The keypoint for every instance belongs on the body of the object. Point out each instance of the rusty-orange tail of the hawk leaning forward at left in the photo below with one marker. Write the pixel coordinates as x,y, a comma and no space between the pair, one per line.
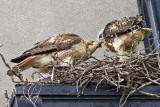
23,65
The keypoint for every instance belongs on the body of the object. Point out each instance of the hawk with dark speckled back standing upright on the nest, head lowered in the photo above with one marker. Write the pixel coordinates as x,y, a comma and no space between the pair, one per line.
124,35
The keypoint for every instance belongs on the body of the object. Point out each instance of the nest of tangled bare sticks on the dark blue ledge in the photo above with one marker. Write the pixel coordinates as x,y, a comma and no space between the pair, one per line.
137,70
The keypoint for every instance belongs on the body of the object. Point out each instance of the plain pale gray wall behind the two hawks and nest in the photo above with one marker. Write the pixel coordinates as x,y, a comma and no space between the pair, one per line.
25,22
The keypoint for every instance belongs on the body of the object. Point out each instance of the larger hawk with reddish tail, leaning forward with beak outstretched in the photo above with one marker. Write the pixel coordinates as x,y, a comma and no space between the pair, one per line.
64,50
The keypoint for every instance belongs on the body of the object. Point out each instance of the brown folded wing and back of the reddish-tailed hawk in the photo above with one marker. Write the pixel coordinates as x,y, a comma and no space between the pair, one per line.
60,42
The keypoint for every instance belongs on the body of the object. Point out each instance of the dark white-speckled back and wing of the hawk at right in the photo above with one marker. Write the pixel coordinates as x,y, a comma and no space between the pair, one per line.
123,25
